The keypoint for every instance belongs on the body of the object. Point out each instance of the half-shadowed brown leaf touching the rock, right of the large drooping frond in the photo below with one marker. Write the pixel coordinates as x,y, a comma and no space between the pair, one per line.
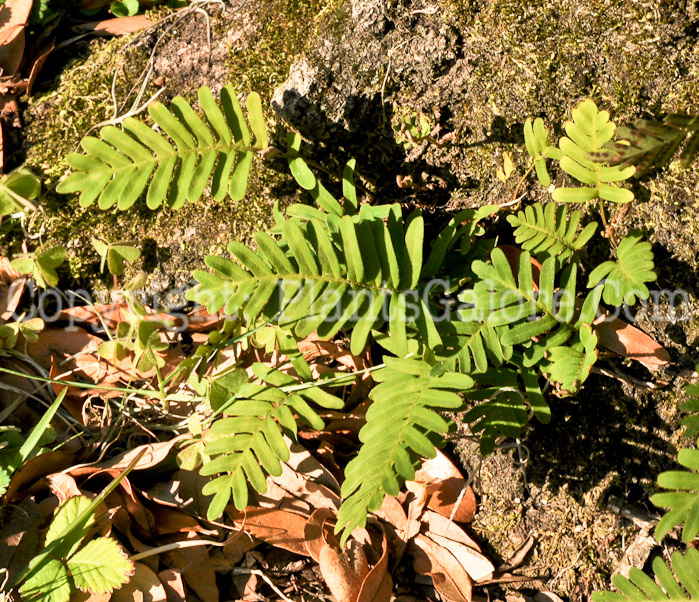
445,485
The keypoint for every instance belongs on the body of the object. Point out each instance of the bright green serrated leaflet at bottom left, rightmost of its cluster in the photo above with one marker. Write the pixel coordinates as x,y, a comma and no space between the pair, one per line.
100,567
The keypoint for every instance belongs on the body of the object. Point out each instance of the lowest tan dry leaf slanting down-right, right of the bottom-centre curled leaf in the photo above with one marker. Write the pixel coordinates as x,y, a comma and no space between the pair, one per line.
450,578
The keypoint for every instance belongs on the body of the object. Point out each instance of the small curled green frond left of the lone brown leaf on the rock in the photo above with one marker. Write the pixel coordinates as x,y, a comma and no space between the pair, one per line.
569,365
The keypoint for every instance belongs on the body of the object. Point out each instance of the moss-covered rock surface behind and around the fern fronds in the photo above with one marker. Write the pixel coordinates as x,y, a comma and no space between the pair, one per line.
344,73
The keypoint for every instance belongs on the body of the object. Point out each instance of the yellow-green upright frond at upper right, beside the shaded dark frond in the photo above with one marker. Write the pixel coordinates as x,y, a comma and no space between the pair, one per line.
589,131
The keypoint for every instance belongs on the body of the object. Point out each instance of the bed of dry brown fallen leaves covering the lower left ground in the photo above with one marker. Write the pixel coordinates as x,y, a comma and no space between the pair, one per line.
282,546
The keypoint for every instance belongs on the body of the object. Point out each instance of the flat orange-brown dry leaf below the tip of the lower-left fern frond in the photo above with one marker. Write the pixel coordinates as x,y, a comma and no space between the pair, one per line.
279,528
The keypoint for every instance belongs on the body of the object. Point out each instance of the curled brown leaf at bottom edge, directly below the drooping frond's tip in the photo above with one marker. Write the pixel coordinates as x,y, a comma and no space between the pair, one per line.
344,571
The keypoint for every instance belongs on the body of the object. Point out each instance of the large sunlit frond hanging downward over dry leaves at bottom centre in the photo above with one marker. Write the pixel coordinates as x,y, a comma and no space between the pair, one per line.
401,427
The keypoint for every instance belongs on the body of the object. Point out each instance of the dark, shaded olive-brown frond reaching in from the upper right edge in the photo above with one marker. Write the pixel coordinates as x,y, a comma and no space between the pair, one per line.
649,144
